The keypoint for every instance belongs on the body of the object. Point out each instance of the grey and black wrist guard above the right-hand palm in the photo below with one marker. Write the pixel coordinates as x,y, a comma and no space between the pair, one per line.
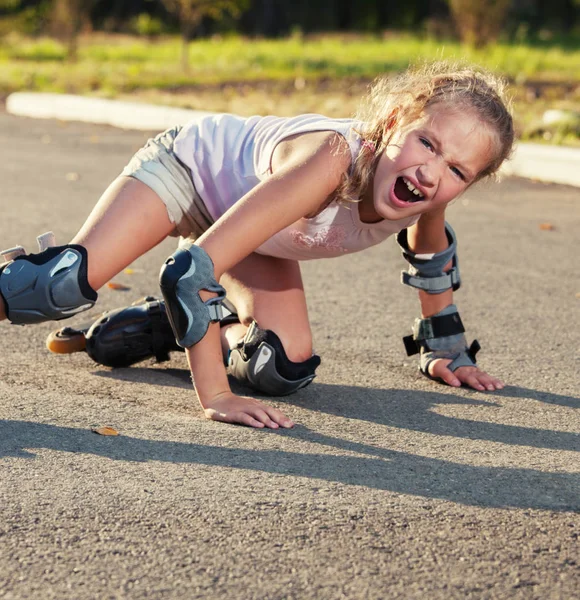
441,336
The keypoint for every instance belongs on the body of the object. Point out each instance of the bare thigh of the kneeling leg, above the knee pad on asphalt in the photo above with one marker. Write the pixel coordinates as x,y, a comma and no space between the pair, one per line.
270,291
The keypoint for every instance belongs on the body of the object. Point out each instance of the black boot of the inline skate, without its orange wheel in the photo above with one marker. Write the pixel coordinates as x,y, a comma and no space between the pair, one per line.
125,336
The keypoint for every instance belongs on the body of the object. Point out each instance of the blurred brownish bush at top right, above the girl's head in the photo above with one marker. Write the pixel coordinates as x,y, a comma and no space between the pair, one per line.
479,22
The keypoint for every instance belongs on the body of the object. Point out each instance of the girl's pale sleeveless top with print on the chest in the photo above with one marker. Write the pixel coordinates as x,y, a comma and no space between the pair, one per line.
230,155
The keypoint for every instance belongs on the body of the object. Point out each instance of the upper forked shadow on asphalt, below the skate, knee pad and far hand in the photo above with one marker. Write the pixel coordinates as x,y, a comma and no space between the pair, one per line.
405,409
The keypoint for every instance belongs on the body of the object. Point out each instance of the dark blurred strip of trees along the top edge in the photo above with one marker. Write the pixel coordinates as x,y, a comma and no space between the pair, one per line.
477,19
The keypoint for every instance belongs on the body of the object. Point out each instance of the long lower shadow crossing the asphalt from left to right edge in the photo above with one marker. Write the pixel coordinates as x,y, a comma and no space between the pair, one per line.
379,468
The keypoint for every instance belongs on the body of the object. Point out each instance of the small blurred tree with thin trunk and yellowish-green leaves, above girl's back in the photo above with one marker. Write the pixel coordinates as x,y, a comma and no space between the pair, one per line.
190,13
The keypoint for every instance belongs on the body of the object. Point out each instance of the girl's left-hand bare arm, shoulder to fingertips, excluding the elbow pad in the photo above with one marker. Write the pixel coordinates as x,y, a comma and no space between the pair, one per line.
301,181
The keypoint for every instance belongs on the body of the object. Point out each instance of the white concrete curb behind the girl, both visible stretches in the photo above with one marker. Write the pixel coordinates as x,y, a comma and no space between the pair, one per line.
551,164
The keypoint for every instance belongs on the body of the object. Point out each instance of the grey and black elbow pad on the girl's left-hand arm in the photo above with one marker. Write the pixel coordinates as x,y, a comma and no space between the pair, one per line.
183,275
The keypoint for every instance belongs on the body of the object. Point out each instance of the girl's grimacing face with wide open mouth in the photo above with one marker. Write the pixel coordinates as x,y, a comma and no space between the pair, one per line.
428,164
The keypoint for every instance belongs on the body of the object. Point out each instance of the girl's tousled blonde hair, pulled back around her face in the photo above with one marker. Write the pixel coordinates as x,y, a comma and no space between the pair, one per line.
394,102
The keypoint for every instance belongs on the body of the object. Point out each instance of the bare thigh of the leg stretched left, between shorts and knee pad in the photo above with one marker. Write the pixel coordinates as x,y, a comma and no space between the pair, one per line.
127,221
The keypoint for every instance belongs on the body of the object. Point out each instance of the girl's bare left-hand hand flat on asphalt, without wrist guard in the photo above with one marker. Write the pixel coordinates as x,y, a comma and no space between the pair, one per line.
229,408
